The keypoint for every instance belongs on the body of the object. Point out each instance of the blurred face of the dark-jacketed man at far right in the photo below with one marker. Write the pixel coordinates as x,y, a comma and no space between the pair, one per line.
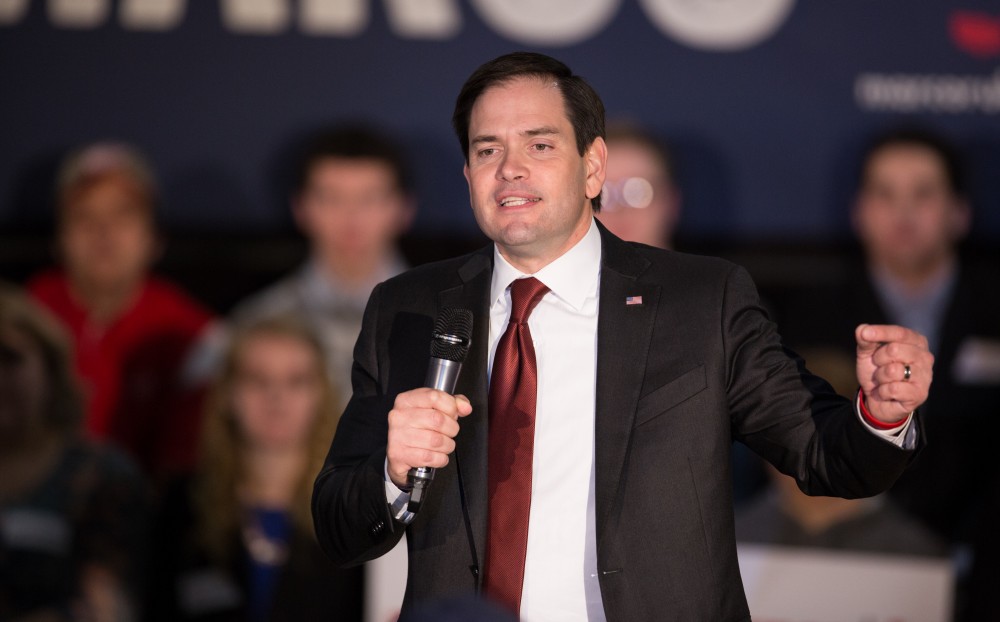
907,216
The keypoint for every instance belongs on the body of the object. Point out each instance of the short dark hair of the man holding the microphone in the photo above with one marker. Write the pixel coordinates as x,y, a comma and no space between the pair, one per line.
584,108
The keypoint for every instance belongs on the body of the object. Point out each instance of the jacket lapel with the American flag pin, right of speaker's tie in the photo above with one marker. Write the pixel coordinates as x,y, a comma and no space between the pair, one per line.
624,333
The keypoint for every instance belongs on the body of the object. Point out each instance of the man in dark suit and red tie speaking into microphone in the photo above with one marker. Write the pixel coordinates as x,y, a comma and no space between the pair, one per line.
648,364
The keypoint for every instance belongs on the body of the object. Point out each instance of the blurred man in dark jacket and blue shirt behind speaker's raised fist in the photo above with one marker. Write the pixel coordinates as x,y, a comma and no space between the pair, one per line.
911,213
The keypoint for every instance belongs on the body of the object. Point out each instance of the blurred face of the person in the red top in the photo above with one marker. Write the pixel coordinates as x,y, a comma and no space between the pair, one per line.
107,237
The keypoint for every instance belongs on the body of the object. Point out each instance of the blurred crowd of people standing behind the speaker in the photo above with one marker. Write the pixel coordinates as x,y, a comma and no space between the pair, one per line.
158,459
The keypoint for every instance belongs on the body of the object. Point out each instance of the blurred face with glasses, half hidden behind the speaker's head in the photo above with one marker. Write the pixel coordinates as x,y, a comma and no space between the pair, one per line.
640,203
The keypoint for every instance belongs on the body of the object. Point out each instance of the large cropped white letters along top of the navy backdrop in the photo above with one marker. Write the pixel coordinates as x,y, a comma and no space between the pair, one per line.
720,25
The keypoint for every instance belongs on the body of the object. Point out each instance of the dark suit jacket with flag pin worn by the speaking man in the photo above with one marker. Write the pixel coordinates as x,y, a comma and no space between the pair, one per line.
679,377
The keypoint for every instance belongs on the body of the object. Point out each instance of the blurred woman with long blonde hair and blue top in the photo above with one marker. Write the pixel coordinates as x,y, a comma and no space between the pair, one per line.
237,538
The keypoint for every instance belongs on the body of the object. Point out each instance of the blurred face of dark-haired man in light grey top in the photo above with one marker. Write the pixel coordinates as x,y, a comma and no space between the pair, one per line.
352,210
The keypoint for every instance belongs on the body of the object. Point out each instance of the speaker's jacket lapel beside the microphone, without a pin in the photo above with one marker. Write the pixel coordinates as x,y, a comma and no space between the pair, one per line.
471,442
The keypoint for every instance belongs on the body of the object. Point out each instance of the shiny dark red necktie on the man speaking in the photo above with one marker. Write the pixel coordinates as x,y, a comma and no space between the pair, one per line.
513,387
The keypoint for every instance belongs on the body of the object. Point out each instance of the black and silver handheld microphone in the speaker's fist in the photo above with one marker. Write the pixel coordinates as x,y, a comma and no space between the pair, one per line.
449,346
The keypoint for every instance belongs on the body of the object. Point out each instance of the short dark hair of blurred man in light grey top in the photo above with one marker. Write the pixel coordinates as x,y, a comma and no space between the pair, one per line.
352,142
